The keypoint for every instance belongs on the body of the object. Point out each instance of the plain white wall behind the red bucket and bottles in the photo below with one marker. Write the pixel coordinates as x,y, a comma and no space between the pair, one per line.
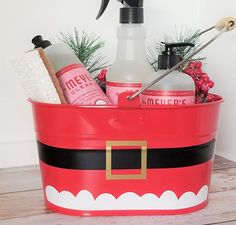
22,20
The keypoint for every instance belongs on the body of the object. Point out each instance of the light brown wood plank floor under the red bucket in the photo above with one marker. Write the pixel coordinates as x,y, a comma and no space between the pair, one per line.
21,202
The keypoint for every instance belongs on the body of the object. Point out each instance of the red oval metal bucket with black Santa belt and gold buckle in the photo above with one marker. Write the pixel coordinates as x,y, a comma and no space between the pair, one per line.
126,159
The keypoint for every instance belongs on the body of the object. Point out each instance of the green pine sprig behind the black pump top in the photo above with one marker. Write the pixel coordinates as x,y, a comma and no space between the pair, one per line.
184,35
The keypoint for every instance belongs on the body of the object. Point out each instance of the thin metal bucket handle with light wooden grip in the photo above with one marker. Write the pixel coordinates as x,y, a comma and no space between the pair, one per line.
226,24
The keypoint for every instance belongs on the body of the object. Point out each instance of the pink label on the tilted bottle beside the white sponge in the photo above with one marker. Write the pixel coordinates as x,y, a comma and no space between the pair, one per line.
79,88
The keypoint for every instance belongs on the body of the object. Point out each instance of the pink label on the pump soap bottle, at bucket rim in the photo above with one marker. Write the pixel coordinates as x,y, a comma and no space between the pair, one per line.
156,97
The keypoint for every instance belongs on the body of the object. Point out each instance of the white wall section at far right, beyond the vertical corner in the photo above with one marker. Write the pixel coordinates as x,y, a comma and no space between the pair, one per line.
221,65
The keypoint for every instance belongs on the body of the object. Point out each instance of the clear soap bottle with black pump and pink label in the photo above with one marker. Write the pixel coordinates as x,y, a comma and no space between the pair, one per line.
174,89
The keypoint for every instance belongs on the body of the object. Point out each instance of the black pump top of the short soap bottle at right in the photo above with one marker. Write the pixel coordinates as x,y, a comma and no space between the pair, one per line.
169,57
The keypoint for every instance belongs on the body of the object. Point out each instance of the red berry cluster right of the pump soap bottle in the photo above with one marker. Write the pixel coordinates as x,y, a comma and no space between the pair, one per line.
202,81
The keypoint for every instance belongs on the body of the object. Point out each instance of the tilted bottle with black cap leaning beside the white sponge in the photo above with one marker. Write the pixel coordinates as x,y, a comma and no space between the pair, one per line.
78,86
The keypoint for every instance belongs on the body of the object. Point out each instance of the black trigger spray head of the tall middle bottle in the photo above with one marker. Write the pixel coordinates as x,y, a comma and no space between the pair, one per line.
130,13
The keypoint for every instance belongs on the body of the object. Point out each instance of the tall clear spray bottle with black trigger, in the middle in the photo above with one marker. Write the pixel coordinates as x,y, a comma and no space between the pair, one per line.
131,65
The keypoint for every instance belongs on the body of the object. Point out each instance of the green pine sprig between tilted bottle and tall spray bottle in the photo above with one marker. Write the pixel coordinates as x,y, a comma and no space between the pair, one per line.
86,49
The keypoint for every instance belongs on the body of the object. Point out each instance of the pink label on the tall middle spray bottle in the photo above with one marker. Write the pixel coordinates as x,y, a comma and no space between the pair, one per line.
114,89
